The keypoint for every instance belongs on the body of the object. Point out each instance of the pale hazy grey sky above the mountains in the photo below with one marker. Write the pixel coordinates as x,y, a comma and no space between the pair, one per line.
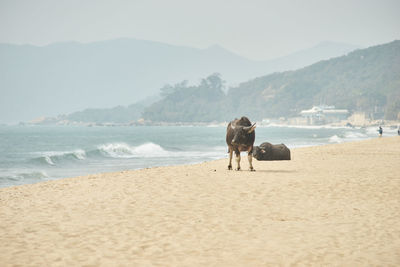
254,29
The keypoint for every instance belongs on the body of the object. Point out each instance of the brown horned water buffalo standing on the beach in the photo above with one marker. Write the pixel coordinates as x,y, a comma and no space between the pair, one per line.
240,136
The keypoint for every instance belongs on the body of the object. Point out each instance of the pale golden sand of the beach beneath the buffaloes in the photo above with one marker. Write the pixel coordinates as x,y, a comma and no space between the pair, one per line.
336,205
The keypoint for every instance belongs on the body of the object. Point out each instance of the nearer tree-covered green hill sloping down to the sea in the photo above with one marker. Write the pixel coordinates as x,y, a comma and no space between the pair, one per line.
366,80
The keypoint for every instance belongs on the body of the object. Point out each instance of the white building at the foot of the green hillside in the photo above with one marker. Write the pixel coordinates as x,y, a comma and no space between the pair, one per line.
324,114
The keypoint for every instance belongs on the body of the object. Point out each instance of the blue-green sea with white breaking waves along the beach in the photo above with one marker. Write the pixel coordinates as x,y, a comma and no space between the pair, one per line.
31,154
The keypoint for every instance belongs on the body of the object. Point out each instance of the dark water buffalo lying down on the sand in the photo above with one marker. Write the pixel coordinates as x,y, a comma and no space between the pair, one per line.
267,151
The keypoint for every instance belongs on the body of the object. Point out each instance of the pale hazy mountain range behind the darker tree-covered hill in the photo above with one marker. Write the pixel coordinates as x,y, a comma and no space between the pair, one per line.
67,77
